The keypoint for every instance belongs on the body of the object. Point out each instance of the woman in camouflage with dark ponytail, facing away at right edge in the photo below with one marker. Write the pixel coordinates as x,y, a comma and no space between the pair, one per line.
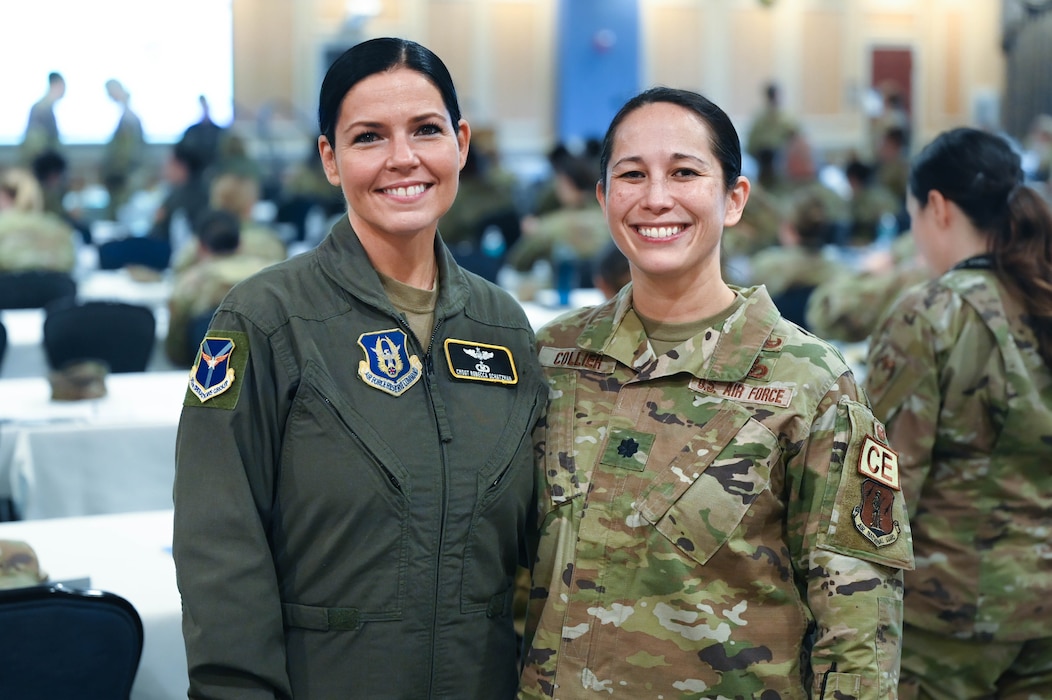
960,371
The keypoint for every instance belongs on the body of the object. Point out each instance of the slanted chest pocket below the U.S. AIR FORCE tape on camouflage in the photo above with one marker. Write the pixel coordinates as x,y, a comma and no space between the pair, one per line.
701,498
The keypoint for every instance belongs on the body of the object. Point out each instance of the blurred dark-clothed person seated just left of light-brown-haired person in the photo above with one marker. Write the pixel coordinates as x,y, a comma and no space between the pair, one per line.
187,198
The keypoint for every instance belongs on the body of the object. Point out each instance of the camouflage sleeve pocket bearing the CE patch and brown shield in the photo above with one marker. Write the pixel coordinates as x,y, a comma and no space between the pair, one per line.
863,510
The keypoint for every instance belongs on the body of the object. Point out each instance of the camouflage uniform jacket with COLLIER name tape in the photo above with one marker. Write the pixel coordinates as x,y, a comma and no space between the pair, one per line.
705,517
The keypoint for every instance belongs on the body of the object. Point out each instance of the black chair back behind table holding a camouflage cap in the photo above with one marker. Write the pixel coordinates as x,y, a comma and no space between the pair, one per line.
119,334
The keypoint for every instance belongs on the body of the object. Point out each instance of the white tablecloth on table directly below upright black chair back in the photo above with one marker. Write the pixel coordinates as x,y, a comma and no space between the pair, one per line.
109,455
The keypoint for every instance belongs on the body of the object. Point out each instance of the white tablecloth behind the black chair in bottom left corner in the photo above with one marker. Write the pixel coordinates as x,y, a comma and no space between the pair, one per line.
129,555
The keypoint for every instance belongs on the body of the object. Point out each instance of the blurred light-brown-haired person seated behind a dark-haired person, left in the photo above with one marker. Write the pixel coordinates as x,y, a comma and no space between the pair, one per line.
239,193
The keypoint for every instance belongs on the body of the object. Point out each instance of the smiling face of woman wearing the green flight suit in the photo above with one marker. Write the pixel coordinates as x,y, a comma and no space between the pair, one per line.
397,156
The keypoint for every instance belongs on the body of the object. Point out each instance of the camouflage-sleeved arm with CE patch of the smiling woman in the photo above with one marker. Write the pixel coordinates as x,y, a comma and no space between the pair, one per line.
851,538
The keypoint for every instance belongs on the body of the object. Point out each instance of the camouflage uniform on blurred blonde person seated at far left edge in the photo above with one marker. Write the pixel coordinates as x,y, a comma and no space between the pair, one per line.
35,241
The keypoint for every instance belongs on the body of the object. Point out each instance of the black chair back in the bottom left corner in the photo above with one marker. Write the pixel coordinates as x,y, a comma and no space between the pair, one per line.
60,643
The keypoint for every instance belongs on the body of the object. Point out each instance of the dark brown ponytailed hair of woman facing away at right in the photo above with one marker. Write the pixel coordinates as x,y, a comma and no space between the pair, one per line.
983,175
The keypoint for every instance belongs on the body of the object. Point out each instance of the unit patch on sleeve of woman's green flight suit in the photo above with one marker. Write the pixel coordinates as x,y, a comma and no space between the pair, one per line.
218,372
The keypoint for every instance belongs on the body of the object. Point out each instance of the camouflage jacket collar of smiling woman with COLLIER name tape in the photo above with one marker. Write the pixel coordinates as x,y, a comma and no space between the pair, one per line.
725,355
